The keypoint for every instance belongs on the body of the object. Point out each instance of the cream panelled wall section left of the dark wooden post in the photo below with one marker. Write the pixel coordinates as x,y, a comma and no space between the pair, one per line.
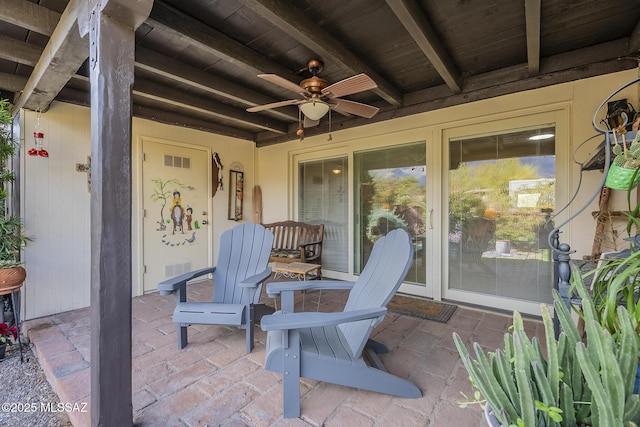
56,212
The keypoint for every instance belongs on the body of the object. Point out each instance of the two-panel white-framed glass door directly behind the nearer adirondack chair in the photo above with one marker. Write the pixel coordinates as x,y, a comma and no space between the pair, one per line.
327,186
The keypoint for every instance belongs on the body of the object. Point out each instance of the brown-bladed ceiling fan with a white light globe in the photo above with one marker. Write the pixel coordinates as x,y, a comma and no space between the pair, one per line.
318,96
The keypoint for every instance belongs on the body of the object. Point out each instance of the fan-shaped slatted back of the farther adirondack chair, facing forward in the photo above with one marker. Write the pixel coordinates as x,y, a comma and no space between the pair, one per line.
244,251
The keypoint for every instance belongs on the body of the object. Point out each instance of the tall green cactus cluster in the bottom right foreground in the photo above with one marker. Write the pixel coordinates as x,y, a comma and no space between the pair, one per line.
576,384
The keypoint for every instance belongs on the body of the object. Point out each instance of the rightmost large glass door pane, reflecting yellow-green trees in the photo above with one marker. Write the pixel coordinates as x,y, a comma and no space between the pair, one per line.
501,196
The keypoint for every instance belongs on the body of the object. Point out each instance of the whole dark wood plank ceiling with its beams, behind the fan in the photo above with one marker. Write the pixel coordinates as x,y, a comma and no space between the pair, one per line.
197,61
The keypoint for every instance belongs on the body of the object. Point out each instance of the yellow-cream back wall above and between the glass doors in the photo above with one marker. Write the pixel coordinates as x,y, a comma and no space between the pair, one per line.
579,98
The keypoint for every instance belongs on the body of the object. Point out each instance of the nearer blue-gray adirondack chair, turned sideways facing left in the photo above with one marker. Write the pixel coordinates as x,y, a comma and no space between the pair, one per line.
329,346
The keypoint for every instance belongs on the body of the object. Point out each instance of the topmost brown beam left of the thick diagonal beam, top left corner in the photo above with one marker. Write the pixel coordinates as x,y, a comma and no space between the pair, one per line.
31,16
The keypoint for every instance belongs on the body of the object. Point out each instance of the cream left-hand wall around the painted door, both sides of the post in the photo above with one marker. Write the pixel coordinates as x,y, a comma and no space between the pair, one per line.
56,203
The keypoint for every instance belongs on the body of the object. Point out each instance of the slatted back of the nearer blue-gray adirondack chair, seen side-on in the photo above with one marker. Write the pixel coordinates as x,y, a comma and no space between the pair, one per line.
385,270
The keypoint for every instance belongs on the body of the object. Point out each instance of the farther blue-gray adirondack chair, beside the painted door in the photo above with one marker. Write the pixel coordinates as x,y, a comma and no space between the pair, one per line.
237,283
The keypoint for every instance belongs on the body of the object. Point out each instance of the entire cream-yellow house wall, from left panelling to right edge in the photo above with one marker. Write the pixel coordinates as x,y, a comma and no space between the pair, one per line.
55,200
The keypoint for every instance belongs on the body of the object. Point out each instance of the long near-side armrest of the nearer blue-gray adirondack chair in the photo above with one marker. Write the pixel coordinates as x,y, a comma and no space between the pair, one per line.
288,321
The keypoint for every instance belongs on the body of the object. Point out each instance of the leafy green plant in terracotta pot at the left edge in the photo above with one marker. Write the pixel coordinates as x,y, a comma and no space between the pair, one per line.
12,237
